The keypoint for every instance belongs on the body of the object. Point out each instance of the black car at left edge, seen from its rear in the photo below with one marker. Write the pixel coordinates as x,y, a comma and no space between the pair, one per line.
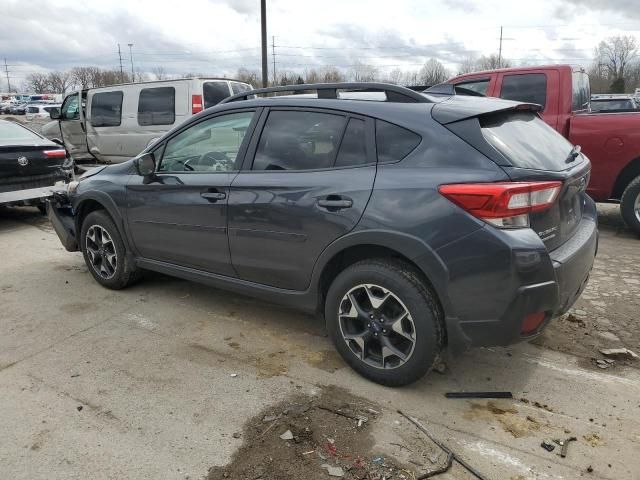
30,165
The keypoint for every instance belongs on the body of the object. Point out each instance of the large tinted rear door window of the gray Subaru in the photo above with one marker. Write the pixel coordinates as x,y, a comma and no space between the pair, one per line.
298,141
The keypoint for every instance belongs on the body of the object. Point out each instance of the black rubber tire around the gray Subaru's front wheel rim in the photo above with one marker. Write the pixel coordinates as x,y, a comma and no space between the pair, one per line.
124,273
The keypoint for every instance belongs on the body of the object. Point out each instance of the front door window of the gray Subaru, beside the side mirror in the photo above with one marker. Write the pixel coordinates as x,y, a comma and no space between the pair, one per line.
208,146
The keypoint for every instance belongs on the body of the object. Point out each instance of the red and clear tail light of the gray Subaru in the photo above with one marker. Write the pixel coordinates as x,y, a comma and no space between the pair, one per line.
503,204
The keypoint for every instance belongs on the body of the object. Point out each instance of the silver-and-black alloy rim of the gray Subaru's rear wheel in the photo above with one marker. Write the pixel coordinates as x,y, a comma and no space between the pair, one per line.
377,326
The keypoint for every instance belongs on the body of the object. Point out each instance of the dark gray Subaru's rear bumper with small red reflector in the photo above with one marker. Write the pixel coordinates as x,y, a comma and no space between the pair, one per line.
560,277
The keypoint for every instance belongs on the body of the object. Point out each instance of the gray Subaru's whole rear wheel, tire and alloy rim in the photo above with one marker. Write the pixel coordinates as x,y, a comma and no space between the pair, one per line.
385,321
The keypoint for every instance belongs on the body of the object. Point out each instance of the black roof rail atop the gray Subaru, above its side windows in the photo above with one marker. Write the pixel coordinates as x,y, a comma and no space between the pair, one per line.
394,93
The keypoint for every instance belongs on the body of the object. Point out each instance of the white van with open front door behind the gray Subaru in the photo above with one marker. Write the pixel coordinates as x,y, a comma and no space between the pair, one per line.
117,122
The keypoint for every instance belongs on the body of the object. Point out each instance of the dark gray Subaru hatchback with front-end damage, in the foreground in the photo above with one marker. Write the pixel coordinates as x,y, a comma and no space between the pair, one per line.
413,221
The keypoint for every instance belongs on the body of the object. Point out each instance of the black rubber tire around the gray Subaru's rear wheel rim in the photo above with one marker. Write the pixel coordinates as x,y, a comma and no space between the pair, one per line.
414,294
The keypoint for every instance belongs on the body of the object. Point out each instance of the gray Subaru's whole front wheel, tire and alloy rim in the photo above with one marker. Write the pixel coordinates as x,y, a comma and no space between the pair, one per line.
104,252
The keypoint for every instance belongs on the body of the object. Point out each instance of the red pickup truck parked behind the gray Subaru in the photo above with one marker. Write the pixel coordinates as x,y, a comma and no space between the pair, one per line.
611,140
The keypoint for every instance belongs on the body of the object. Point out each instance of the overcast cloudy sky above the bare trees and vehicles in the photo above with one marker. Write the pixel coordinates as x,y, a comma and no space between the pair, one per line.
218,36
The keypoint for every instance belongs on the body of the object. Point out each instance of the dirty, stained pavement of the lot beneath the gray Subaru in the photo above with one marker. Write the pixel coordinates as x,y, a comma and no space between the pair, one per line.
169,379
